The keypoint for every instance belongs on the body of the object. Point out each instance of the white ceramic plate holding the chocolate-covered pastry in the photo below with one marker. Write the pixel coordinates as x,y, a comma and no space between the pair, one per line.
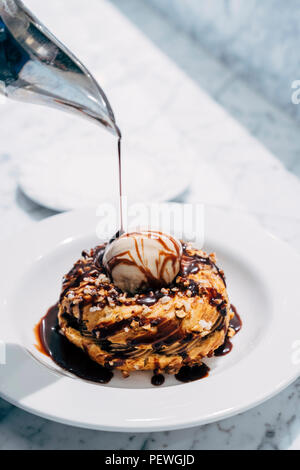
263,277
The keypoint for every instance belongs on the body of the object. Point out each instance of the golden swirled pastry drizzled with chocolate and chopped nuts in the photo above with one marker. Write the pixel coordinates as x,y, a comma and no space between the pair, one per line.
158,330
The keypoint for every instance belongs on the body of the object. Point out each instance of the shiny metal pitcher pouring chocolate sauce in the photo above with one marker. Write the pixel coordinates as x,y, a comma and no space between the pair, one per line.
35,67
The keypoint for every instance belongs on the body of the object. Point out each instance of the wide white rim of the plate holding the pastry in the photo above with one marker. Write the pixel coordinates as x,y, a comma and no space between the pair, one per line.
154,409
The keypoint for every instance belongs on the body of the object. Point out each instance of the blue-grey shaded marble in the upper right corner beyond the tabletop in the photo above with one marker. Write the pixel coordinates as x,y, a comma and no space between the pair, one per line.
258,40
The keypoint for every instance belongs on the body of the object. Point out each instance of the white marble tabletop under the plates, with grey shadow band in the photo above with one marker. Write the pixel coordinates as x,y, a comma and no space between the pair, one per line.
245,157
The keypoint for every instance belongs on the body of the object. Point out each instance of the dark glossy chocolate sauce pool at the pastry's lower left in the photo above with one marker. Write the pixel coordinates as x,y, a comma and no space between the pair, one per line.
51,343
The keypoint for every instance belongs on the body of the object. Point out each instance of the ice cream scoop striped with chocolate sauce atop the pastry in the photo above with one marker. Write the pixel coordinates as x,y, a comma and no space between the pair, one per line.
141,260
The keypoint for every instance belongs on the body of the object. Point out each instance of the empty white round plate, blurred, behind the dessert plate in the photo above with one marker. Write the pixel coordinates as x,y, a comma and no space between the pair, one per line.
75,165
